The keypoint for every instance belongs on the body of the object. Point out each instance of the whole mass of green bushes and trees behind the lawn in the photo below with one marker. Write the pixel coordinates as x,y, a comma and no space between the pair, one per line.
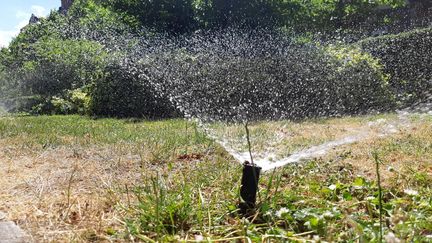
100,57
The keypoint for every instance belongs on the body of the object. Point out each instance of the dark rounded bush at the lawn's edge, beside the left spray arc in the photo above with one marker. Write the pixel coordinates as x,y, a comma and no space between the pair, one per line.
121,92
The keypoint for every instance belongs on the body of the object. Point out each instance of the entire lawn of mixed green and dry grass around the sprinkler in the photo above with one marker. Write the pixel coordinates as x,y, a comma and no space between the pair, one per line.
70,178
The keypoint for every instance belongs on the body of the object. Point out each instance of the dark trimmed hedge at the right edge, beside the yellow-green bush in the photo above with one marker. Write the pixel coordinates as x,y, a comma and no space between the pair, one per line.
407,58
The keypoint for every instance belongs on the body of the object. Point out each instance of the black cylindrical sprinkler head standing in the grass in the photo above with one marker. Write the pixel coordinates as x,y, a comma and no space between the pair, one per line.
249,187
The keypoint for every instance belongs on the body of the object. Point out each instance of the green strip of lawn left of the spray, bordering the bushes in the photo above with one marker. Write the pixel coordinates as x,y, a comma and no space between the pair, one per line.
101,131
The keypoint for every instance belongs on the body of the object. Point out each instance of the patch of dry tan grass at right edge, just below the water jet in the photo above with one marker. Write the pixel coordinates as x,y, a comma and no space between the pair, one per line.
404,152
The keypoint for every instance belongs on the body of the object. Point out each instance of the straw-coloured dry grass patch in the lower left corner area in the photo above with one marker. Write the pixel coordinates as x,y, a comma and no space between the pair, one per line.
61,194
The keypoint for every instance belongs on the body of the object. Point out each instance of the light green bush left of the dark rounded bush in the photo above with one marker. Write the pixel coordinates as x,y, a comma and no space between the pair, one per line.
54,75
